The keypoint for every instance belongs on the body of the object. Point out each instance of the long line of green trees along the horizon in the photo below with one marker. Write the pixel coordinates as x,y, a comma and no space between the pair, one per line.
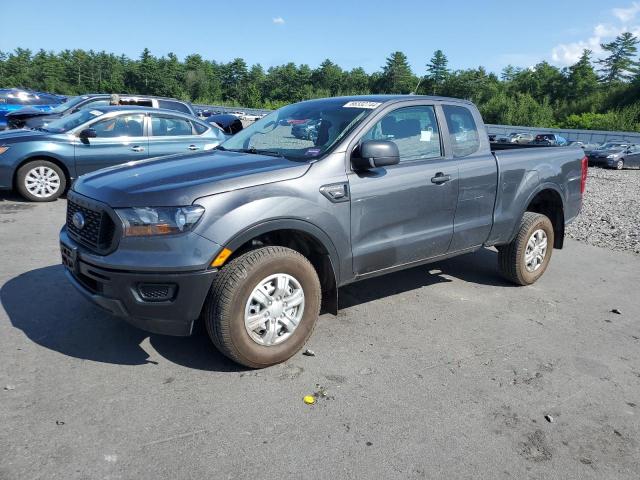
598,94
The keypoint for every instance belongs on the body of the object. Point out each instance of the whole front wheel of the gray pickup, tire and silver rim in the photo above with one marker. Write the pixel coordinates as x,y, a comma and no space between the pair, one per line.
263,306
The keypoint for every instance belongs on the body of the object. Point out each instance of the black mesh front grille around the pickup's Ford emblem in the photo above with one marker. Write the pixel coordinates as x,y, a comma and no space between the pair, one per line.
98,230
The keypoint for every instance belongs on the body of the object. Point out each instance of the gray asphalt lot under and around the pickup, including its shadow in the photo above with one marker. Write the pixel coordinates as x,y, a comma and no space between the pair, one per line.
441,371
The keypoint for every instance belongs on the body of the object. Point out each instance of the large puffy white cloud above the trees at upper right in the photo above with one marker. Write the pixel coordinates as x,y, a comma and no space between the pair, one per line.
569,53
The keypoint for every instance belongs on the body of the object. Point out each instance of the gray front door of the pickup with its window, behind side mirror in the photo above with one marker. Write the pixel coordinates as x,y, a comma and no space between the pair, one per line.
404,212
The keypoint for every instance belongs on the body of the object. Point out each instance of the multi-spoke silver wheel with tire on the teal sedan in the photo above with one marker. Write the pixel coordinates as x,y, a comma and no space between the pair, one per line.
40,181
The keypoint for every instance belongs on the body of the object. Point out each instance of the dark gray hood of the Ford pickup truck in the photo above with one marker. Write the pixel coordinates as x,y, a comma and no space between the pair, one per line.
181,179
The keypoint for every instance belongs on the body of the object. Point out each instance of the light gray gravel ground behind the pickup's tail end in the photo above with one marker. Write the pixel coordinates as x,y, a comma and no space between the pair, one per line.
610,215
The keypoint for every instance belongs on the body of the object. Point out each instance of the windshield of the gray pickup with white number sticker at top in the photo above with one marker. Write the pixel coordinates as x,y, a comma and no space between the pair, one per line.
302,131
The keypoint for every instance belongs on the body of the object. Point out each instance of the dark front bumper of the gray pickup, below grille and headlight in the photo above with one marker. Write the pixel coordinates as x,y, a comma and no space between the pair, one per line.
122,292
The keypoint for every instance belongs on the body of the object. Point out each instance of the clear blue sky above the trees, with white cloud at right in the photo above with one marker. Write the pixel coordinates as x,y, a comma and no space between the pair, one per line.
491,33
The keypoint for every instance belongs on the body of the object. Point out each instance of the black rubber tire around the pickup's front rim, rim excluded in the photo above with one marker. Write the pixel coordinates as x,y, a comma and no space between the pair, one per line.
224,308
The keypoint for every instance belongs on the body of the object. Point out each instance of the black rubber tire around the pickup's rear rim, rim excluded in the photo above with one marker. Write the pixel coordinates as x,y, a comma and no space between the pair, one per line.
511,257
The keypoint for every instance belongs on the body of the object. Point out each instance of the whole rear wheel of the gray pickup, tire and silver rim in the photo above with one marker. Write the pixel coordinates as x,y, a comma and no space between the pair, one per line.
525,259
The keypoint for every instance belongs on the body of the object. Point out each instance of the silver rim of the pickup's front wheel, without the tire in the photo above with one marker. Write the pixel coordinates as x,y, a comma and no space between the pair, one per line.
274,309
